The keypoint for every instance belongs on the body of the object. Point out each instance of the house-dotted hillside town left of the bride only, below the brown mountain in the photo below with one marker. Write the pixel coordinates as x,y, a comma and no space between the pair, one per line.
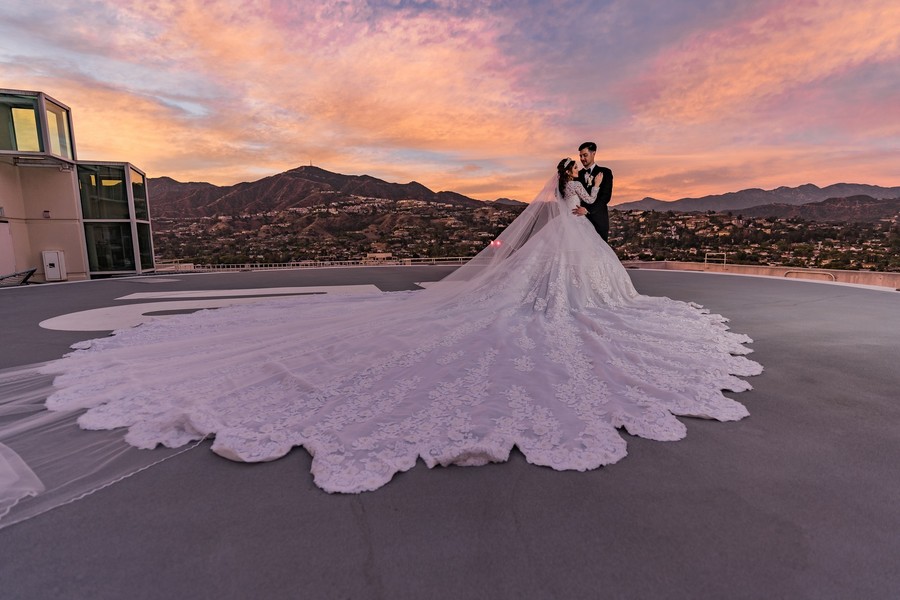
343,229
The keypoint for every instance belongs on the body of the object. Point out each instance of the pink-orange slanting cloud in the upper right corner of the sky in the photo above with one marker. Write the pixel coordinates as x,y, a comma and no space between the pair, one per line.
731,71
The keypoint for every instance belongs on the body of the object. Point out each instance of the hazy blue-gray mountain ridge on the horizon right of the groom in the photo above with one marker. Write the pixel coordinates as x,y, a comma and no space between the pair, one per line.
803,194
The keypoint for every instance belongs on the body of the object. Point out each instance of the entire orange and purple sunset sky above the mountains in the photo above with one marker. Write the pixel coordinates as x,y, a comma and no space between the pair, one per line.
684,98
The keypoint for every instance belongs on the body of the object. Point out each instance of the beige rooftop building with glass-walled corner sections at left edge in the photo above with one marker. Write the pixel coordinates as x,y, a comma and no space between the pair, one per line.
92,218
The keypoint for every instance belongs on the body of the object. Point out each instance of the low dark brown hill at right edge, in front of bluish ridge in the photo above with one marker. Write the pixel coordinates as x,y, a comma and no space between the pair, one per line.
858,209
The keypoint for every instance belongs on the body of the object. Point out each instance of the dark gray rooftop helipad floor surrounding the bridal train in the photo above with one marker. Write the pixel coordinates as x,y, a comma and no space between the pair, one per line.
800,500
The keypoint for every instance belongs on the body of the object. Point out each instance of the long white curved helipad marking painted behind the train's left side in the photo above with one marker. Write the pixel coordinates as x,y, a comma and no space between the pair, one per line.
109,318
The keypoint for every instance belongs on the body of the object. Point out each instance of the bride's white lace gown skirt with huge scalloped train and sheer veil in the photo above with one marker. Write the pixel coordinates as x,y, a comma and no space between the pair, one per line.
539,342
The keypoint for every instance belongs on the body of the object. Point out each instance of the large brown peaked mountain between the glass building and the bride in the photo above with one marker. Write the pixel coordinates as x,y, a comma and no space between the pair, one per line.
297,188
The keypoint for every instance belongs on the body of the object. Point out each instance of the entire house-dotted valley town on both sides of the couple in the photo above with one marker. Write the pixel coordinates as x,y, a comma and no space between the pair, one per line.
352,227
